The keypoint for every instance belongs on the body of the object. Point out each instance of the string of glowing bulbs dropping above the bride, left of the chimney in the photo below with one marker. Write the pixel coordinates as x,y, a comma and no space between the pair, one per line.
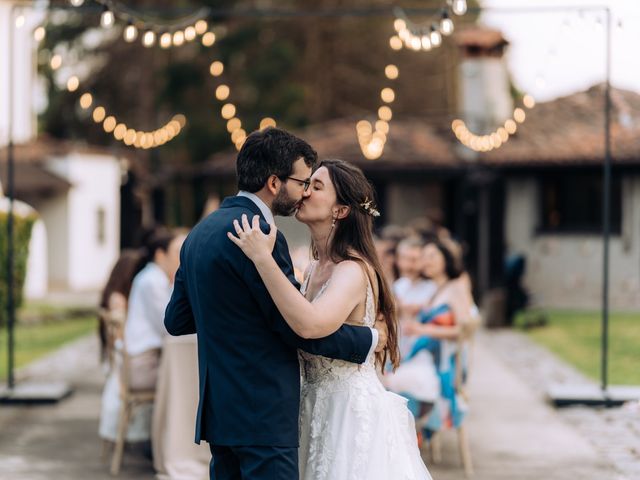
373,138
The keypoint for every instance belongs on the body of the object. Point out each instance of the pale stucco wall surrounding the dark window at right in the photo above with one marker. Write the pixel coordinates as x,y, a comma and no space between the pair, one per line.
565,271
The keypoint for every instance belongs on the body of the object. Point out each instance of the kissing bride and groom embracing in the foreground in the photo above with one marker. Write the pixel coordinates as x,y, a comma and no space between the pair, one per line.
288,382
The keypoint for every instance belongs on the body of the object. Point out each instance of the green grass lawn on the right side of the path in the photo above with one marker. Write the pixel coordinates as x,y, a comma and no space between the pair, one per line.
575,337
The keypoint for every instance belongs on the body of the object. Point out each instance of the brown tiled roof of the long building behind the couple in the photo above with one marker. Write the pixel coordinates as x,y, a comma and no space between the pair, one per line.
564,131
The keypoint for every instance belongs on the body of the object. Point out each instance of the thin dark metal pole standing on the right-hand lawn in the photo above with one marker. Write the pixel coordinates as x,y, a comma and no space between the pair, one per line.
606,200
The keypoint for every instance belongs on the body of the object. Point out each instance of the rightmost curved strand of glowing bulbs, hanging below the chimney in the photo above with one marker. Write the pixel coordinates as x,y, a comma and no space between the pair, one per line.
497,138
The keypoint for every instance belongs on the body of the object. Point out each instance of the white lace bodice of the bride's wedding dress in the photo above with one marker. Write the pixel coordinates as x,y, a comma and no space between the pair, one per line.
316,368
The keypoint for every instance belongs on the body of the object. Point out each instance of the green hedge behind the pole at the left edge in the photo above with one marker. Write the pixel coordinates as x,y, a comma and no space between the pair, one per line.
22,234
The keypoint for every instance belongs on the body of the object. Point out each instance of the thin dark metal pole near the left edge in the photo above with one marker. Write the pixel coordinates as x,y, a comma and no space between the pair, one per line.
11,310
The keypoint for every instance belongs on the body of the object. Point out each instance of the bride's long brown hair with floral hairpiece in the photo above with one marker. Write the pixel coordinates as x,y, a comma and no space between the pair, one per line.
352,239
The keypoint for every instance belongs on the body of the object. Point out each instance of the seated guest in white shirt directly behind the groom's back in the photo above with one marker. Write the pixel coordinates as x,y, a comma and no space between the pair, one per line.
150,294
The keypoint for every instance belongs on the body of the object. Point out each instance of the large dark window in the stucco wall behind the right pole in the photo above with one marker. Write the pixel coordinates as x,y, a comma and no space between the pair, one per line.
572,203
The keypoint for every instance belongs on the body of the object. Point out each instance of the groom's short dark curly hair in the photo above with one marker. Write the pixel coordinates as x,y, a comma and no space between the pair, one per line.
267,152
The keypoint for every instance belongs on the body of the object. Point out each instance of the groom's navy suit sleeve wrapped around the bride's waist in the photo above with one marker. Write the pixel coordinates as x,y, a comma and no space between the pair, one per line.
350,343
